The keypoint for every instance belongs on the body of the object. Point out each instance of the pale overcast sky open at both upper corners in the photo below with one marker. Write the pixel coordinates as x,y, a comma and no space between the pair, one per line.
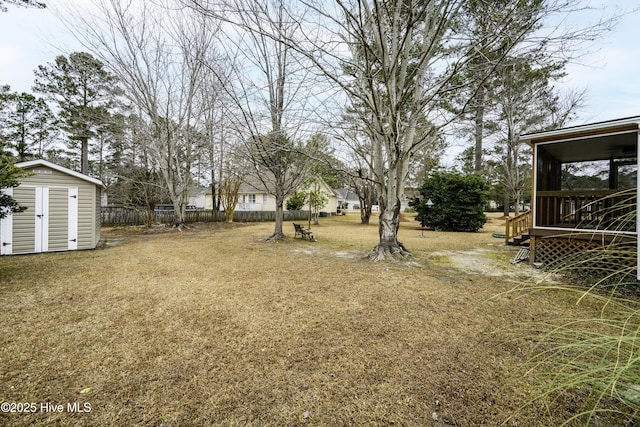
30,37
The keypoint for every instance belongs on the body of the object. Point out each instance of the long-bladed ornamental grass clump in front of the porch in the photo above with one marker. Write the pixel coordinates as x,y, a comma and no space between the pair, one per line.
596,360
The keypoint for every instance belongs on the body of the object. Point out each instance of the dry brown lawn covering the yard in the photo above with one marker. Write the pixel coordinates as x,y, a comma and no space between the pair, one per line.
213,326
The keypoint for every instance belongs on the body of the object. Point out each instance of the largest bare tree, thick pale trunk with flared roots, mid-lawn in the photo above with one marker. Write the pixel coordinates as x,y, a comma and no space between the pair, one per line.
396,61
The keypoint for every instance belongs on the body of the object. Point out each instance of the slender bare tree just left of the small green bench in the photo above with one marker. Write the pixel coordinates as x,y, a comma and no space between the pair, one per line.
269,88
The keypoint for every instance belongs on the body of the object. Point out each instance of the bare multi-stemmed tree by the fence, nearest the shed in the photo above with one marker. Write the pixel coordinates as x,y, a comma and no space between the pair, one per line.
161,59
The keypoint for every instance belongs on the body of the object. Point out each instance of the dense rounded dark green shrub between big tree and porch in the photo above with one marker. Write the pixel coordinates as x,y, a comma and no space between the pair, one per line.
458,202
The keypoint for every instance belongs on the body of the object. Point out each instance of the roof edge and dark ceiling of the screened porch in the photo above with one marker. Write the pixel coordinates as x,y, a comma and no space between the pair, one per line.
612,139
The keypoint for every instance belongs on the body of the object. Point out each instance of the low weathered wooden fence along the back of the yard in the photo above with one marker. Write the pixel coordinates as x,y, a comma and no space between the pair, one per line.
122,215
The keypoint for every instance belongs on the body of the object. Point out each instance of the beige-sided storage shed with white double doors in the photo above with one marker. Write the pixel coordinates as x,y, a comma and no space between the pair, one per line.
63,211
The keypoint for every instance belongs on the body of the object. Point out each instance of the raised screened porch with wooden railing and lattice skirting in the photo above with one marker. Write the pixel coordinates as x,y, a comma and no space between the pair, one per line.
585,181
